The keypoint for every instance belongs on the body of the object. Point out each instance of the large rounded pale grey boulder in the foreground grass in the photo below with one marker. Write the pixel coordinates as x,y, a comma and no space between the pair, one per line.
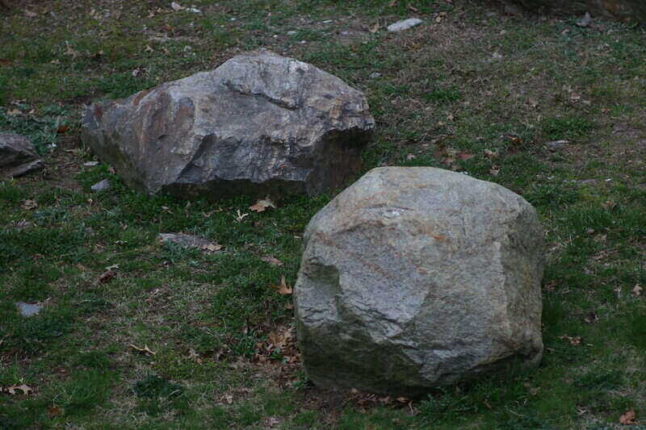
416,277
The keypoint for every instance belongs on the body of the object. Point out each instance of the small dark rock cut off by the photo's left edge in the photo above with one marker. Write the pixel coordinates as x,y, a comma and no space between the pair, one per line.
17,156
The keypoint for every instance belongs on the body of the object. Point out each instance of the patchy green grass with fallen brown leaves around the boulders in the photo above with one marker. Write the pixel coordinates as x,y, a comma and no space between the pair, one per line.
467,81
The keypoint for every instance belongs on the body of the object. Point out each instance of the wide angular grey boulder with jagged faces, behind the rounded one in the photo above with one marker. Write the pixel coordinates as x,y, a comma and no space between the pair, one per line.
258,124
